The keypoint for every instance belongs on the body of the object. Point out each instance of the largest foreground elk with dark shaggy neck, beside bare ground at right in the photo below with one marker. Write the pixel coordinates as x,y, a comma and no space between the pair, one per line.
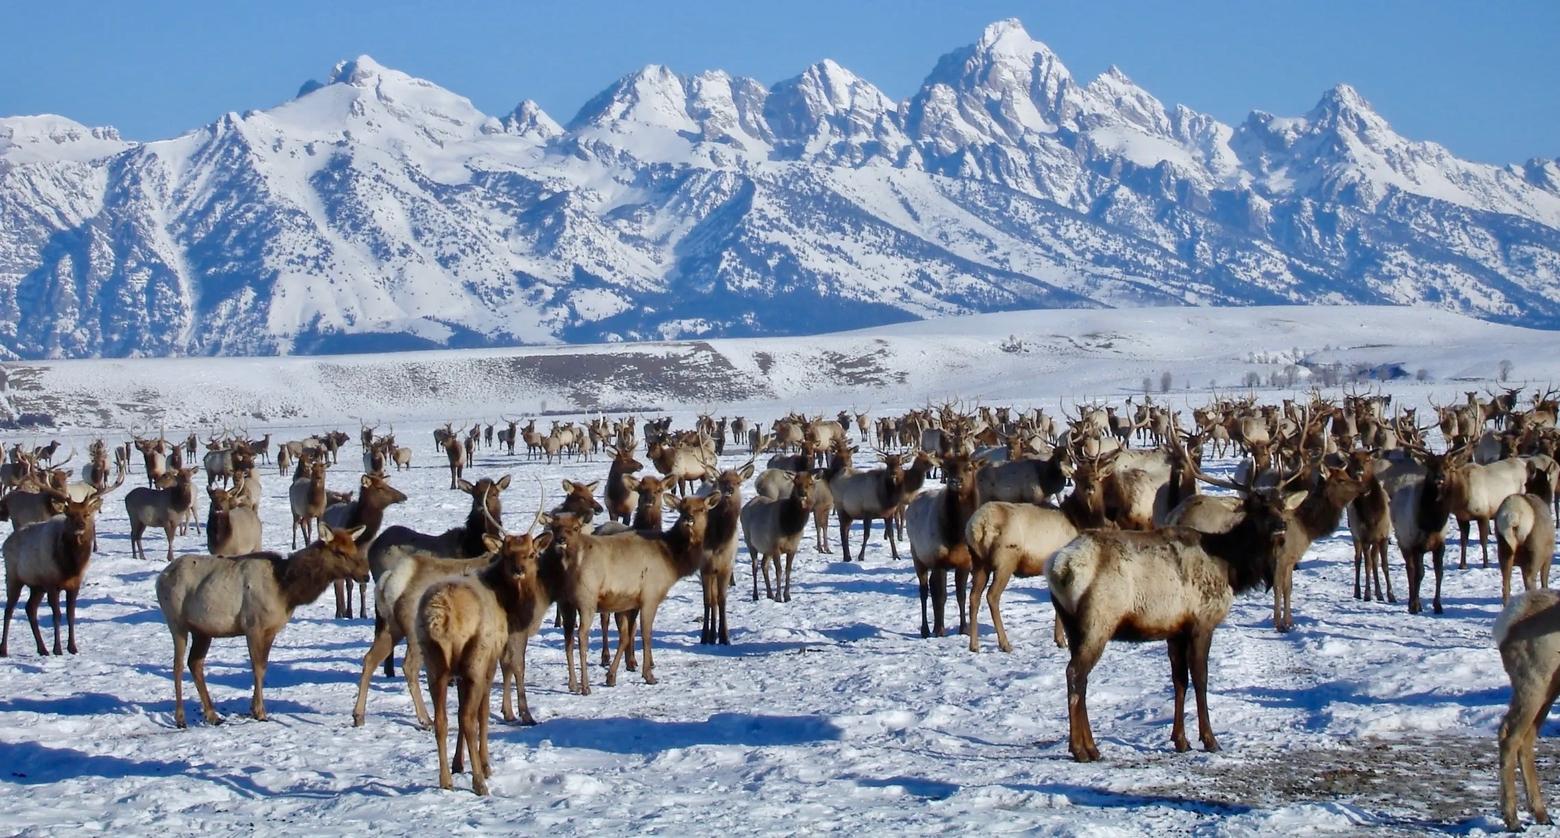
1172,584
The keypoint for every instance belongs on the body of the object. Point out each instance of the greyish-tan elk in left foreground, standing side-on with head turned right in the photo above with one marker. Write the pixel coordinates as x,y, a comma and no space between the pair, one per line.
207,597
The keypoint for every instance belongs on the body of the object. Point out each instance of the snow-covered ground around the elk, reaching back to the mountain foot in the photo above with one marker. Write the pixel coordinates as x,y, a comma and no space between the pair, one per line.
828,714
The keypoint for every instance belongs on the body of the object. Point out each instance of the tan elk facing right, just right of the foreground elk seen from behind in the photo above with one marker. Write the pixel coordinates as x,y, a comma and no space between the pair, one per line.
623,573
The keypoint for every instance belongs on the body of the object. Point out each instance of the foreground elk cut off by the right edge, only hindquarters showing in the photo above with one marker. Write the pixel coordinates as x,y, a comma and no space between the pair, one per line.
1528,634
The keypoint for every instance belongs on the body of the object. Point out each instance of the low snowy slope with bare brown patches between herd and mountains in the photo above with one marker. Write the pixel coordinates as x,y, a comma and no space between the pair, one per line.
993,357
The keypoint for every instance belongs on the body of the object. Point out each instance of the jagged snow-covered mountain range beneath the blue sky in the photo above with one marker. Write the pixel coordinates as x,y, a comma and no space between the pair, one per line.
381,211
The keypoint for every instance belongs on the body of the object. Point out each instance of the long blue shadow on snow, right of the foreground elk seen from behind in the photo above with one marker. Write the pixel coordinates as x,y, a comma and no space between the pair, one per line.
645,737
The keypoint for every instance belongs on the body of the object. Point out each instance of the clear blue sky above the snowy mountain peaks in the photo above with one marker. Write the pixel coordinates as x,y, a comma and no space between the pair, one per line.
1481,79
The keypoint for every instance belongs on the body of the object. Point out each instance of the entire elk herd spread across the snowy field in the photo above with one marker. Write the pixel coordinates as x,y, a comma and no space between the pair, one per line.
1107,503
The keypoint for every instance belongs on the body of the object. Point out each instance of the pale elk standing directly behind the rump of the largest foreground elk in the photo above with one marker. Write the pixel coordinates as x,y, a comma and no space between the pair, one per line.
1009,541
